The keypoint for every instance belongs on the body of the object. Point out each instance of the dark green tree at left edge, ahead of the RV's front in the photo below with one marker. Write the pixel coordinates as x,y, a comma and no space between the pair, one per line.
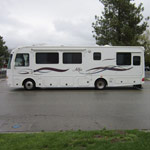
4,54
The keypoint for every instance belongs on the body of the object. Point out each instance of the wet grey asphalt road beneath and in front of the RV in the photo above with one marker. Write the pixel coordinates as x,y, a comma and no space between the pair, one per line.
73,109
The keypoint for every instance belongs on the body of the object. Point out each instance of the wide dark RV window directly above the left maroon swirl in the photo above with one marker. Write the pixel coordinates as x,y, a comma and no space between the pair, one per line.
47,58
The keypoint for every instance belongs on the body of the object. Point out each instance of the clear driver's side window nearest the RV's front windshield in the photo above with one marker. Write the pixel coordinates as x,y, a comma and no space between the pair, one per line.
22,60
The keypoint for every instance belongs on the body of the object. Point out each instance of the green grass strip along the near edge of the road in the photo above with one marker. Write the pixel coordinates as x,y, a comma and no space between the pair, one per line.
77,140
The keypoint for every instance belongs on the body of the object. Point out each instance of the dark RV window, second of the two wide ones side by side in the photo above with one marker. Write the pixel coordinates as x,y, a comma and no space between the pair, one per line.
72,58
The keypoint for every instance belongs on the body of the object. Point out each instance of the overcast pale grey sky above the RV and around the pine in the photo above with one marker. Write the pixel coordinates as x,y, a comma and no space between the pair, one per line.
53,22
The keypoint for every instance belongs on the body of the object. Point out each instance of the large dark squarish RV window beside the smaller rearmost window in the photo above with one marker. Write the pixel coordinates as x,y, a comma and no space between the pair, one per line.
123,58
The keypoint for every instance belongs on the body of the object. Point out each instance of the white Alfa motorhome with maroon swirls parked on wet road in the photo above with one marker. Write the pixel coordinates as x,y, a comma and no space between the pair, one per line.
45,66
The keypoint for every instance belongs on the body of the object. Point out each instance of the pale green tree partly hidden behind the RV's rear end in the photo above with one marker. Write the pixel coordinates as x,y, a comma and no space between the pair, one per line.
145,41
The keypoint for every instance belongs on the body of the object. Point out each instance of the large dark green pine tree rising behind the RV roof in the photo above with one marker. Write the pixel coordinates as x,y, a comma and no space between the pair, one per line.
121,23
